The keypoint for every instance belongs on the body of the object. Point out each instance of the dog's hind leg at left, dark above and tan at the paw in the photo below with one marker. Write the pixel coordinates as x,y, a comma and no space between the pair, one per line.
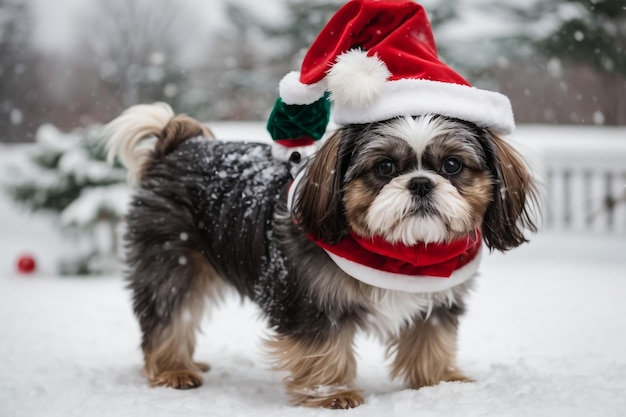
171,285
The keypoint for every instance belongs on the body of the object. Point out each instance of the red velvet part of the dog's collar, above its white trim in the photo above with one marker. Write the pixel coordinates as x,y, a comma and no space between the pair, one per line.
432,259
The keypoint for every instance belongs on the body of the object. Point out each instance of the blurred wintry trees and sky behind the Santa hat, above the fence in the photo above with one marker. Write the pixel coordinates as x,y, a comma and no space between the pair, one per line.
72,63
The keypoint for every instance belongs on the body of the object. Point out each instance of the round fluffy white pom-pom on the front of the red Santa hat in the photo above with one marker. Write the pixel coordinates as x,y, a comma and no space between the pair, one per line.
357,80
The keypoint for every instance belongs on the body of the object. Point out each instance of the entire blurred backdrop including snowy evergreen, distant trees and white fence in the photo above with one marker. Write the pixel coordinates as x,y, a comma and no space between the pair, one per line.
68,66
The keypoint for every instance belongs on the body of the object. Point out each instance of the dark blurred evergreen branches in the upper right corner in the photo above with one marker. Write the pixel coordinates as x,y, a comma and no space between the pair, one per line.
584,35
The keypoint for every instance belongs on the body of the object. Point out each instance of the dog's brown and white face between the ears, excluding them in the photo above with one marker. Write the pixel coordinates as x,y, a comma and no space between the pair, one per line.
417,181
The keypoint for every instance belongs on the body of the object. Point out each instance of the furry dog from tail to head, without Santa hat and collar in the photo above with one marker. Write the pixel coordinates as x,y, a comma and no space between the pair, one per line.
210,215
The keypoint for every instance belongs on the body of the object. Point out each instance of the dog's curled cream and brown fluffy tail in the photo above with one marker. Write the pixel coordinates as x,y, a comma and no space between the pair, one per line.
148,131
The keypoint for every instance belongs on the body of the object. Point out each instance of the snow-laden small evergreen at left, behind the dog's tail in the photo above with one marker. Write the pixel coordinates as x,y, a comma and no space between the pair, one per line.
66,174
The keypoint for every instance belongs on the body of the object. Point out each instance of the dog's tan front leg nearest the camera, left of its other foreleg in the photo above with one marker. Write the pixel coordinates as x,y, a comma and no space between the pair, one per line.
322,368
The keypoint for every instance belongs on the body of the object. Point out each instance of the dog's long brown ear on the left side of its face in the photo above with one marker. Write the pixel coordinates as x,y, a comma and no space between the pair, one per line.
318,207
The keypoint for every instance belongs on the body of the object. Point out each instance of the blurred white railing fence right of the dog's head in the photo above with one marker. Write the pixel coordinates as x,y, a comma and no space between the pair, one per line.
583,173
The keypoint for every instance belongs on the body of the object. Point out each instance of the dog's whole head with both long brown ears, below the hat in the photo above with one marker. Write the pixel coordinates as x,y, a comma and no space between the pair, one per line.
409,180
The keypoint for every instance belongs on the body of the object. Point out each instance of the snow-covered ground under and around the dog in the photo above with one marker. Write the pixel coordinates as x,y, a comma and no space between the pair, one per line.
545,335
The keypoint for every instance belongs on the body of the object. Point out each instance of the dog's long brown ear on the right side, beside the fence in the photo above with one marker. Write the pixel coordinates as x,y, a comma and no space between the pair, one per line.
515,196
